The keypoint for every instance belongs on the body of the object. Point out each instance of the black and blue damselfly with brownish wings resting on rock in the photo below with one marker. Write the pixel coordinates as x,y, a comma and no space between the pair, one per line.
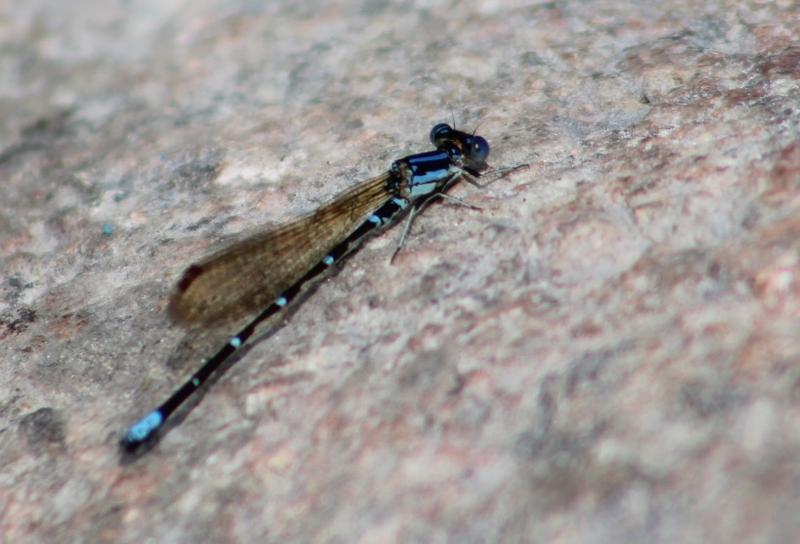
262,274
